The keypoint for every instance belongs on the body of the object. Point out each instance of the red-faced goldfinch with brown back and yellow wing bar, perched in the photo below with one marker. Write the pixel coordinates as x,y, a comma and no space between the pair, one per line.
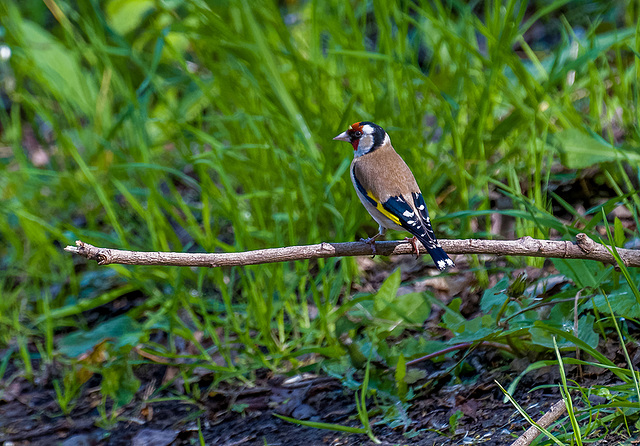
389,191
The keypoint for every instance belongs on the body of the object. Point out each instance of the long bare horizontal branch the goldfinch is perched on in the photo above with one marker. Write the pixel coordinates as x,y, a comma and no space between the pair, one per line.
583,248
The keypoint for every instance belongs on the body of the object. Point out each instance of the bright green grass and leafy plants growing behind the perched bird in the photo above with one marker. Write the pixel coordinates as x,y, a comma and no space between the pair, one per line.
186,126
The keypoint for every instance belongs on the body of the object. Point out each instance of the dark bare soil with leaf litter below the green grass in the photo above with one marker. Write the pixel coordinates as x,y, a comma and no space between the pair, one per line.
29,414
